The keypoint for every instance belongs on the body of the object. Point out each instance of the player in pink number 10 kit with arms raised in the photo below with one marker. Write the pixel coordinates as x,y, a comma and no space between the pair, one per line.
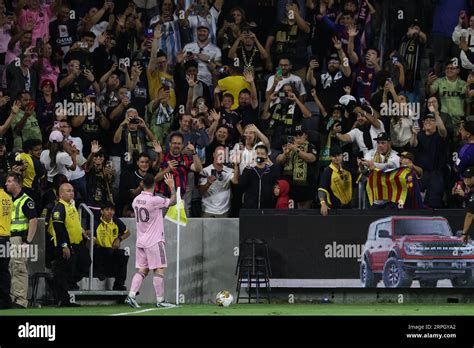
150,247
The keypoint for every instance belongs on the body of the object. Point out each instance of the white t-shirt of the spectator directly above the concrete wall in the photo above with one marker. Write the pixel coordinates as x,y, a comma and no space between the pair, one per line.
217,198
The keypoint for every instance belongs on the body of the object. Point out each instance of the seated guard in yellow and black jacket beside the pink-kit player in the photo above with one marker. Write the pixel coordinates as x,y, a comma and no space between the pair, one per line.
109,259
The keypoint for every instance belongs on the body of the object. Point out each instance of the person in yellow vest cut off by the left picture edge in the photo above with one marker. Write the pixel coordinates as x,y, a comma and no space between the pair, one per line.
6,207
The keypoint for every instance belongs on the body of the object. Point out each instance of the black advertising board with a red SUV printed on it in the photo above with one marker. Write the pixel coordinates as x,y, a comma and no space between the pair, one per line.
364,249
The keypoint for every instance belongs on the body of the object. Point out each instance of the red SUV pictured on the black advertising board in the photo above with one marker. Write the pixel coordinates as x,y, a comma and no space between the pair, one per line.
400,249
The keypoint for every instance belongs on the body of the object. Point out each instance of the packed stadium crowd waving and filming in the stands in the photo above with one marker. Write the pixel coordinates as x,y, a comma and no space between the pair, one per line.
248,104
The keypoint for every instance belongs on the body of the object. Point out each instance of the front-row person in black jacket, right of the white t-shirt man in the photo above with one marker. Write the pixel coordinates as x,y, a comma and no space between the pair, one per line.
257,182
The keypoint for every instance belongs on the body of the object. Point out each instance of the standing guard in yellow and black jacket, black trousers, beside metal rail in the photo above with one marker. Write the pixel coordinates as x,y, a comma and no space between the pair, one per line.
71,261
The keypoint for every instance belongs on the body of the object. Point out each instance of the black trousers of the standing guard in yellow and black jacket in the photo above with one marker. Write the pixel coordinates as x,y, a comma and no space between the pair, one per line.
68,272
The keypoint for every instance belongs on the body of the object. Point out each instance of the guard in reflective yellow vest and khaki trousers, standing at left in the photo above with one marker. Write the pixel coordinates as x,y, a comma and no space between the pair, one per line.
24,222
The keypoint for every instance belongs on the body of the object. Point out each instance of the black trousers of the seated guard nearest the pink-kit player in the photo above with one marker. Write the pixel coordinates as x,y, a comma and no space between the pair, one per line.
111,263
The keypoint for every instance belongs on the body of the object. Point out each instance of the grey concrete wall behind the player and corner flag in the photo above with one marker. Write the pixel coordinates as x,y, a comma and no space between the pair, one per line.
207,261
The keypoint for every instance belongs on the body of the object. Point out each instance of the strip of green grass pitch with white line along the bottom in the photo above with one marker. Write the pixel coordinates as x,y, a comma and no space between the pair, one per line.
255,309
